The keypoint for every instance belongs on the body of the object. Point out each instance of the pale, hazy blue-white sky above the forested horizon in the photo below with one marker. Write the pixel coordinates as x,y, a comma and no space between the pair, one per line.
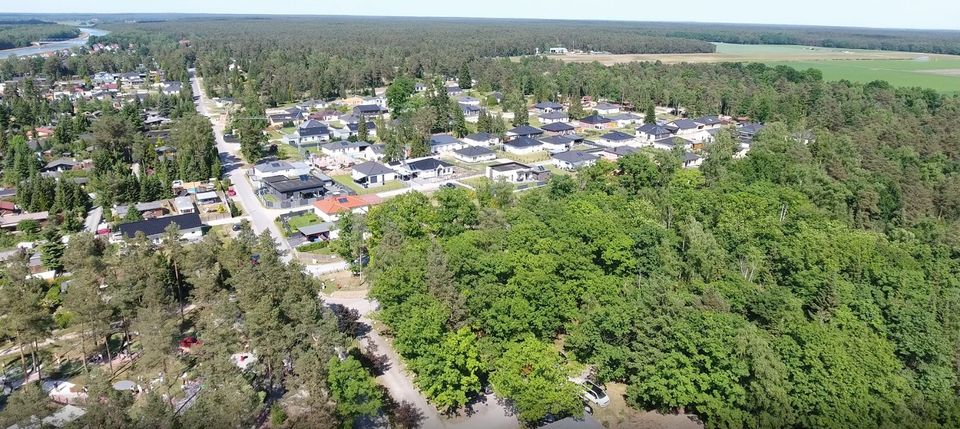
920,14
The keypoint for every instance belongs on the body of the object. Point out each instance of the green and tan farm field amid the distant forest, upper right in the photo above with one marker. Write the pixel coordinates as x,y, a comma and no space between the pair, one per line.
939,72
